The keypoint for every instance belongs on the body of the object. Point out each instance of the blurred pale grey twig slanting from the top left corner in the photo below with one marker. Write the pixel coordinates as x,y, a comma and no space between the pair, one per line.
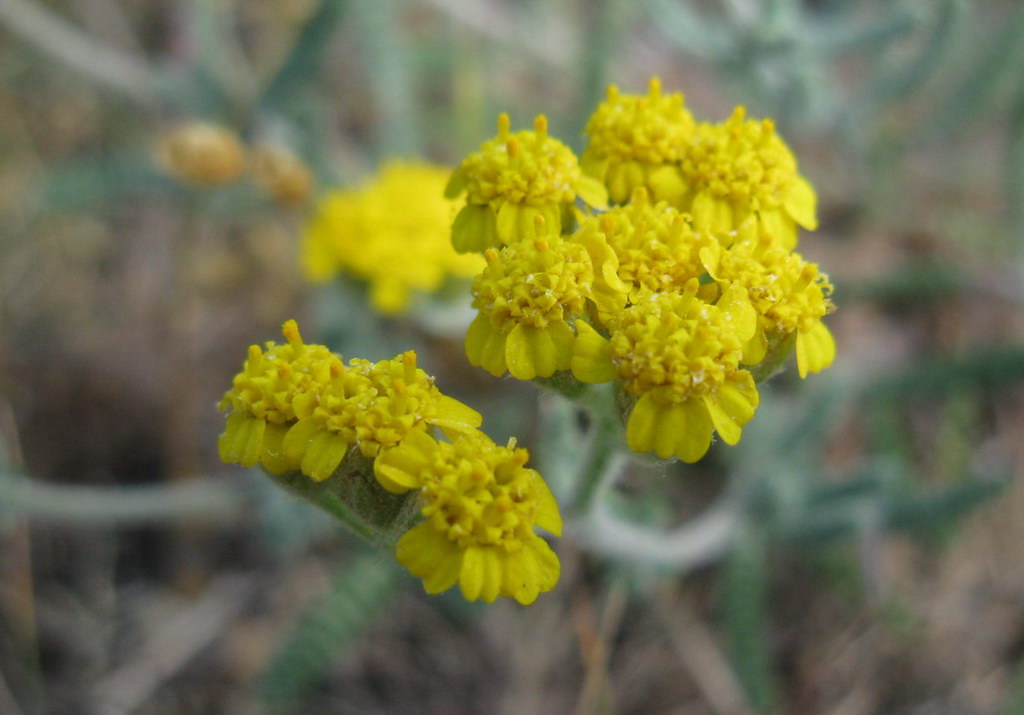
64,41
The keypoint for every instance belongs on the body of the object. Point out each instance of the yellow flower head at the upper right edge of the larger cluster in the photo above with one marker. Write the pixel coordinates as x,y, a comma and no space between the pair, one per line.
741,169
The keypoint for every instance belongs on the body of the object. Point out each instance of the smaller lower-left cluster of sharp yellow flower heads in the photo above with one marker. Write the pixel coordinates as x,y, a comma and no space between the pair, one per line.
300,408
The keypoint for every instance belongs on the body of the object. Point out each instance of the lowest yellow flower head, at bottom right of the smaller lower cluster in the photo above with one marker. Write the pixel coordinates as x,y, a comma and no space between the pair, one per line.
482,506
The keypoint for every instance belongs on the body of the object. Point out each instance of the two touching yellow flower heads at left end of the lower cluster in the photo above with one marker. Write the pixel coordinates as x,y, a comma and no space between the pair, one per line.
300,407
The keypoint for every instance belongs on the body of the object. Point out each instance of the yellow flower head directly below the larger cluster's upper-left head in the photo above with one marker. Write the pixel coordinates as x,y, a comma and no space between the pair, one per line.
527,297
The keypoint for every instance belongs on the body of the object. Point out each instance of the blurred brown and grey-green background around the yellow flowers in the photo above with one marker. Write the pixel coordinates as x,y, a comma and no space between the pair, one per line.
877,564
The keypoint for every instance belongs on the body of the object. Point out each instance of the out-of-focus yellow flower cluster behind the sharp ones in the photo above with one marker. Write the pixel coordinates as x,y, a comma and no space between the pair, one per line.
393,232
